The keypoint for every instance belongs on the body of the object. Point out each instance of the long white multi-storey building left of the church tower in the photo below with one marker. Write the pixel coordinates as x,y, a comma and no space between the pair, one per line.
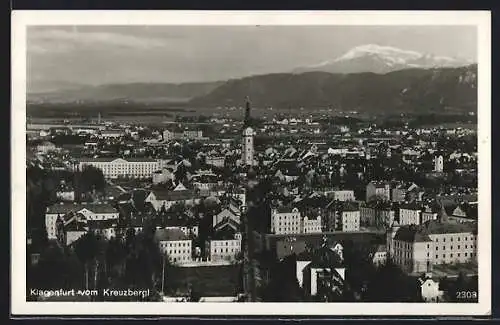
119,167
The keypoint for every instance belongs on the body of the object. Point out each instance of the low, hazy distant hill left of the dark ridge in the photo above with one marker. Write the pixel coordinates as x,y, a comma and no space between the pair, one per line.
153,92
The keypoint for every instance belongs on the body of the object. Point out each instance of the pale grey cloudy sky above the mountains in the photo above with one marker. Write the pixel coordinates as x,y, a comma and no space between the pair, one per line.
58,56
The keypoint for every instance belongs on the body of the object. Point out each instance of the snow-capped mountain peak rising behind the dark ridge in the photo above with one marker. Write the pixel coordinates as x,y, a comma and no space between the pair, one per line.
382,59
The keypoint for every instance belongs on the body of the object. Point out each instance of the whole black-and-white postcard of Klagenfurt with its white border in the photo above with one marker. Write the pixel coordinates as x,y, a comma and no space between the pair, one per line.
255,163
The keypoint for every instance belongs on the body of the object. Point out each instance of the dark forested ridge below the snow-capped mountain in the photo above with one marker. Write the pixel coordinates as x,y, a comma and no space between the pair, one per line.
422,90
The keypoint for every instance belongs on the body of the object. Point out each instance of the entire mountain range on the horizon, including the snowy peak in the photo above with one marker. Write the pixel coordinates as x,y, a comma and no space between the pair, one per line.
366,78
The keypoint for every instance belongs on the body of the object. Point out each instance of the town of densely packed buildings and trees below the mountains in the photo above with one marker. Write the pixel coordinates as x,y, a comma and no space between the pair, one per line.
292,207
